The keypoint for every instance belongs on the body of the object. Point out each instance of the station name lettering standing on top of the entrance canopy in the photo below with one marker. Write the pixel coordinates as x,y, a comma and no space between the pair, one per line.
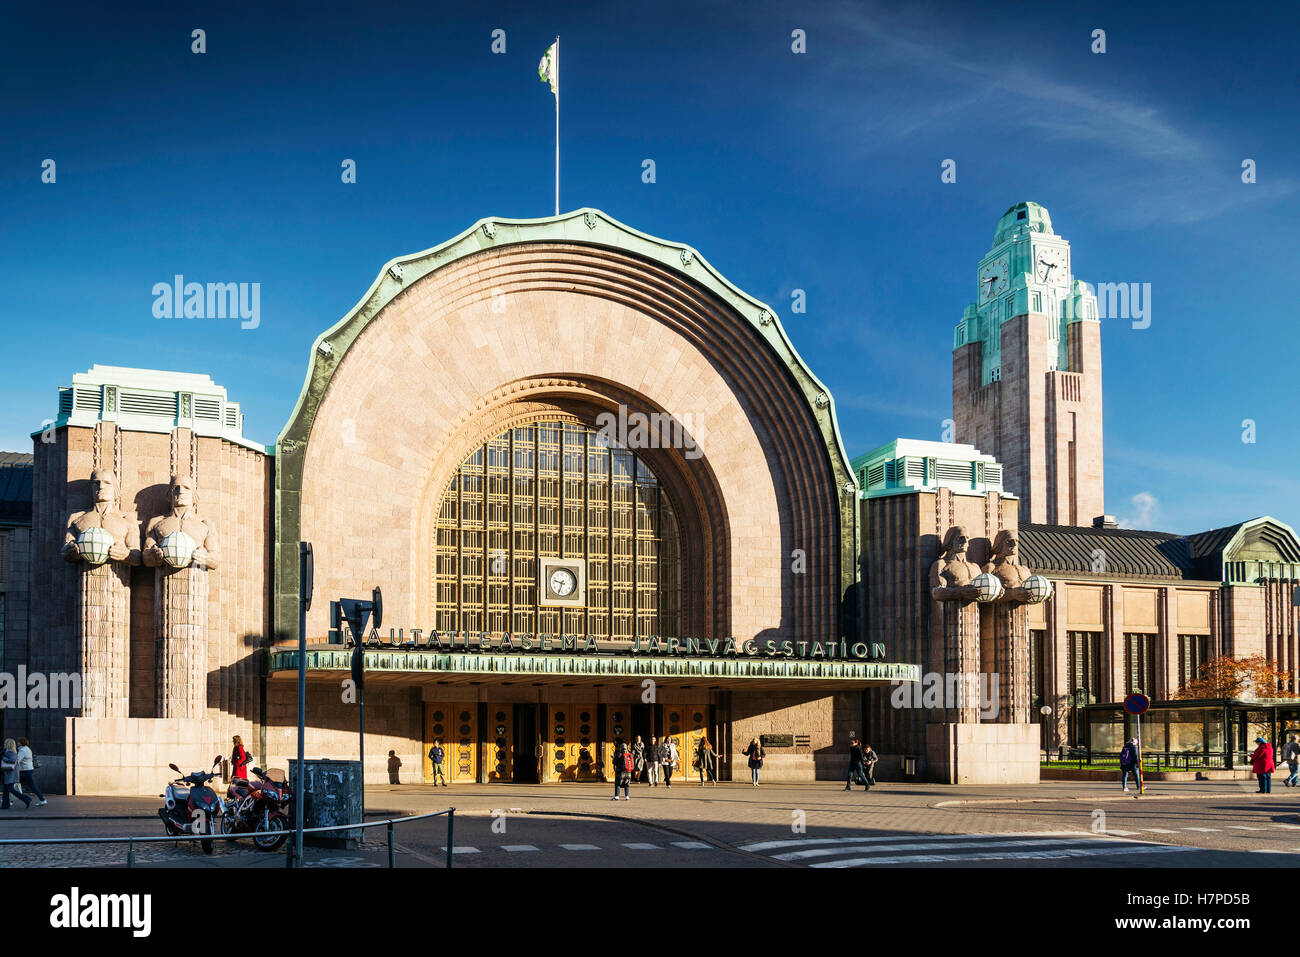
417,639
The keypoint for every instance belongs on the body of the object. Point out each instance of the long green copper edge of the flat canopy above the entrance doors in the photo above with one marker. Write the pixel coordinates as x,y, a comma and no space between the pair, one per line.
597,666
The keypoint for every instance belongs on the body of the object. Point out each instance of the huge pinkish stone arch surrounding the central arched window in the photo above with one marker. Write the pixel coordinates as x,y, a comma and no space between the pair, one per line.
502,334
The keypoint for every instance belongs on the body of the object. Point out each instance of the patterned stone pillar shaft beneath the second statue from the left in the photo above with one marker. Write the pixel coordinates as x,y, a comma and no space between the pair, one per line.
181,616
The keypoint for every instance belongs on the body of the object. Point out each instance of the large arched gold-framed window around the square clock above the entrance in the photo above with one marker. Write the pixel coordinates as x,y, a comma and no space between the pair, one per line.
554,490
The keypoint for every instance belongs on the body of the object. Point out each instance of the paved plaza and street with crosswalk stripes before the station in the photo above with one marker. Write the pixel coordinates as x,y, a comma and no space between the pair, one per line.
820,826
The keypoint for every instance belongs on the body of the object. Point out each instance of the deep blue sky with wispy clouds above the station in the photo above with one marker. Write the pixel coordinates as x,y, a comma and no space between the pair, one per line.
817,172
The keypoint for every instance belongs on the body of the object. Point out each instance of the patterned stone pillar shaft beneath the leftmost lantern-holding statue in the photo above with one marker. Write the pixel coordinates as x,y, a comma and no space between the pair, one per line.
103,597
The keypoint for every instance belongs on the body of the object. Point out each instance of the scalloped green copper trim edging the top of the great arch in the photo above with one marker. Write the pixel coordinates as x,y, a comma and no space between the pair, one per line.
580,227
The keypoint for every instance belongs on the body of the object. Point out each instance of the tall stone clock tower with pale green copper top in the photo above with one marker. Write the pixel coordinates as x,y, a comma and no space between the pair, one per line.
1028,373
